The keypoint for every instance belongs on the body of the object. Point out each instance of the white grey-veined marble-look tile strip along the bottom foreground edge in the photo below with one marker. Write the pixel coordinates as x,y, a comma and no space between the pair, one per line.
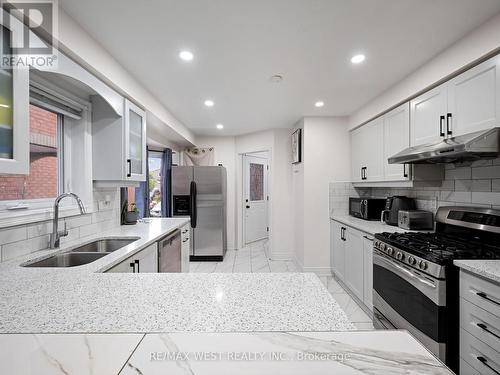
347,353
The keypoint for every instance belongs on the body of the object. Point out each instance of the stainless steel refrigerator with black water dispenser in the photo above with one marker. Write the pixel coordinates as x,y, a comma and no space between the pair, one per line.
200,193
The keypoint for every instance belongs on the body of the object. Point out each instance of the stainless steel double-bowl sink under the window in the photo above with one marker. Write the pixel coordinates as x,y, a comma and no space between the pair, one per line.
84,254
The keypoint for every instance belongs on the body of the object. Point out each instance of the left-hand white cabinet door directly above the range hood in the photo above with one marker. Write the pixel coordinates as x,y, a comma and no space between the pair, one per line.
428,116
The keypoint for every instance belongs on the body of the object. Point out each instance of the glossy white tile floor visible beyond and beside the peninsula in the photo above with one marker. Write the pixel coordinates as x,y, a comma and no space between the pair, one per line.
253,258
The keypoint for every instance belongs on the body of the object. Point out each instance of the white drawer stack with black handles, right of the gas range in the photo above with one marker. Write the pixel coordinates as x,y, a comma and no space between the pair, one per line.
479,325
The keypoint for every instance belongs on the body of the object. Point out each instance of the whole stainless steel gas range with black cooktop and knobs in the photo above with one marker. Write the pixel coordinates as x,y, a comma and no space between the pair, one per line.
415,284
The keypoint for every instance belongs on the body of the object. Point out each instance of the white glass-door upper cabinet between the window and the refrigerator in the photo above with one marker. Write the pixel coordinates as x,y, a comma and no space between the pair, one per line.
118,143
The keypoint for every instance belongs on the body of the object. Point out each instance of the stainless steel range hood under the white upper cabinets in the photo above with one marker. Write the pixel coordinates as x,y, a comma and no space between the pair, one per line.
479,145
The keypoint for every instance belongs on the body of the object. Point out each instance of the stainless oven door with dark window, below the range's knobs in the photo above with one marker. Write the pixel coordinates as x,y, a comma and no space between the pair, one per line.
405,298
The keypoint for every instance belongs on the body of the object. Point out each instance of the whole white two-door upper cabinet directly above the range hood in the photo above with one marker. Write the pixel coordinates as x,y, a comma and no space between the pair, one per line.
468,103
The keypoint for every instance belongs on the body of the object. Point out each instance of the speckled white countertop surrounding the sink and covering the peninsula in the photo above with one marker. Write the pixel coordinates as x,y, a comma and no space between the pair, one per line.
85,300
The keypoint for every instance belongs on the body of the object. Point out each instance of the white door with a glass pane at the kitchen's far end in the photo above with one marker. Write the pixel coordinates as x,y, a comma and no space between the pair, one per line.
255,198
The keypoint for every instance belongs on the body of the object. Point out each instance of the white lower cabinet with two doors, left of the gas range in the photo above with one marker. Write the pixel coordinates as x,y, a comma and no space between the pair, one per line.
351,260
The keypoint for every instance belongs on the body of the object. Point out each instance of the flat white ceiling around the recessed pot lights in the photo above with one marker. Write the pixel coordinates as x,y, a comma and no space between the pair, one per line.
239,44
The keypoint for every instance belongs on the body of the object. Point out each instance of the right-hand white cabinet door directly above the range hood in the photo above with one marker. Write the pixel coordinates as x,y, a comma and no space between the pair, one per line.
474,99
